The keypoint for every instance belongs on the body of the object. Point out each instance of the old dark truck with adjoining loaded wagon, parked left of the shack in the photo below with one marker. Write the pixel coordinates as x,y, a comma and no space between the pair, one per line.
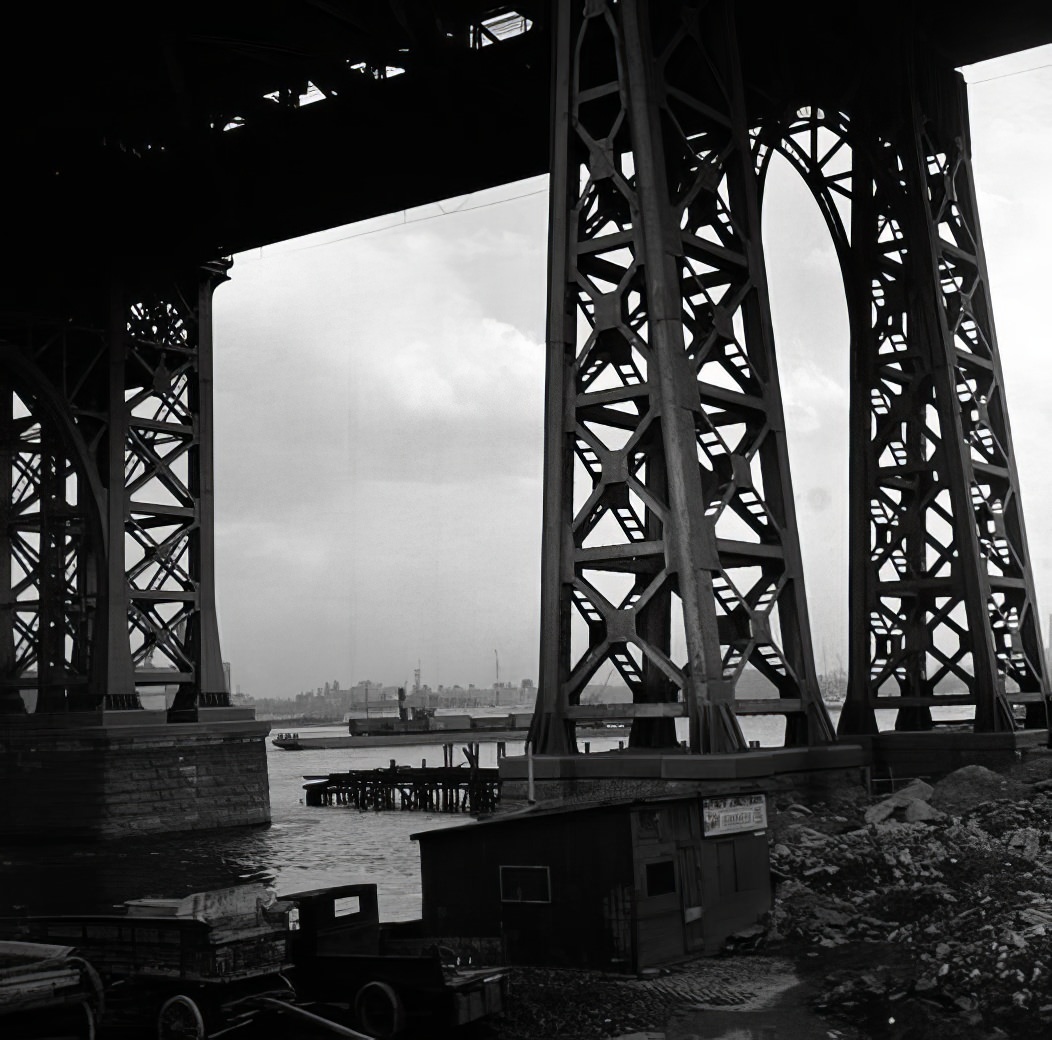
217,962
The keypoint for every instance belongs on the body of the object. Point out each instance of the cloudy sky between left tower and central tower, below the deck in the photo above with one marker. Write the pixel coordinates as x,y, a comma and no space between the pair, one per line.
379,446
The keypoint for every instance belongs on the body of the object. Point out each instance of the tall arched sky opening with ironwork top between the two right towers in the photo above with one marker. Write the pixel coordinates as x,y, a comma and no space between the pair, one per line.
802,160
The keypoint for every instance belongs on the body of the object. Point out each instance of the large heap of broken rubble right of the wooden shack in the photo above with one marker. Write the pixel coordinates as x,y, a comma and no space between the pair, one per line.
936,906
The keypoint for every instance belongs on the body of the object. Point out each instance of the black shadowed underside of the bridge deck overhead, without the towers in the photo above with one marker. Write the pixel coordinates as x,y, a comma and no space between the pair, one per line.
181,131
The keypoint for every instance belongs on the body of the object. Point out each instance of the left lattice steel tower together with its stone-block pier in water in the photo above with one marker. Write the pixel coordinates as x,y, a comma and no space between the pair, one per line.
108,568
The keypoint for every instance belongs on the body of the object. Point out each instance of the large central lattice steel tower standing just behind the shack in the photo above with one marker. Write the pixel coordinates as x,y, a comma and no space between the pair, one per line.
670,518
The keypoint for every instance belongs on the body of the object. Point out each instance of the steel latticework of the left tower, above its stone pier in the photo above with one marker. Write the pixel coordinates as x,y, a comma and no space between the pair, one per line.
107,545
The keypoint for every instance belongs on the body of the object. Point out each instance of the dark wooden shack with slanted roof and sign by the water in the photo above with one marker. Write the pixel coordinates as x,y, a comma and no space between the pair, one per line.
622,887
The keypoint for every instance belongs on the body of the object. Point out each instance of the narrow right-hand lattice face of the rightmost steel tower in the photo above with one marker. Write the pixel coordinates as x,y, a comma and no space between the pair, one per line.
993,554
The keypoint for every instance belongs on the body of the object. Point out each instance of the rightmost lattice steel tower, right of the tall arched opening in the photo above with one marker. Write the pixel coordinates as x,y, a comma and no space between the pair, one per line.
943,601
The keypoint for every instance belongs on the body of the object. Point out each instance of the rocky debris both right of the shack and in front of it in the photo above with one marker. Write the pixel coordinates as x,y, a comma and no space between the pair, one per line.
933,923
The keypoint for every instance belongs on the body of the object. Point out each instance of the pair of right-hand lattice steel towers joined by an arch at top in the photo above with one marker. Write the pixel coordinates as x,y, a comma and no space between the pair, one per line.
671,545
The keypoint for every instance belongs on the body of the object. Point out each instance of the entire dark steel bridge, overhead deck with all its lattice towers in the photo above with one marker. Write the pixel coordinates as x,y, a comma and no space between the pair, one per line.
146,146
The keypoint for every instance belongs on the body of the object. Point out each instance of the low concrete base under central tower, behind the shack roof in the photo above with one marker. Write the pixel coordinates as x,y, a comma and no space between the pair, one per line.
653,773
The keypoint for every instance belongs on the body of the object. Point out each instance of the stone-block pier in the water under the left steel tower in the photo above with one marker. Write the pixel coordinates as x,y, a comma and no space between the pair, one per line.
117,774
